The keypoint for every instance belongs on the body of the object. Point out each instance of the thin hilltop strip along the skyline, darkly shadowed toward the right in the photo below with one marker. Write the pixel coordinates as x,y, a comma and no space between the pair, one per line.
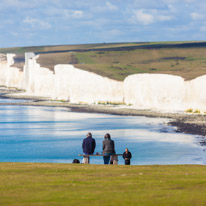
102,47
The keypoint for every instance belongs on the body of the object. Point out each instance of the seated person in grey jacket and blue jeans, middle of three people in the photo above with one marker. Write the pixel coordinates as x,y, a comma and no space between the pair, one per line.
108,148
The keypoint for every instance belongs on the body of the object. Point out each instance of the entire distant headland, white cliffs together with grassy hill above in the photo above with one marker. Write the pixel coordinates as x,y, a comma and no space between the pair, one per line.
166,78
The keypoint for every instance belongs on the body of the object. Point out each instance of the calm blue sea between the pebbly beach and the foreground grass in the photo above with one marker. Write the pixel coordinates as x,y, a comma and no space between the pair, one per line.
47,134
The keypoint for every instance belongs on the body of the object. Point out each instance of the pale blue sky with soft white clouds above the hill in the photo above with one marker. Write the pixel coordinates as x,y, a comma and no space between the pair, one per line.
60,22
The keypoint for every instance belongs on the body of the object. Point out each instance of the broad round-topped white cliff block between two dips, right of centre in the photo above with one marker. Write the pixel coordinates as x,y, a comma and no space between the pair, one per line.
154,91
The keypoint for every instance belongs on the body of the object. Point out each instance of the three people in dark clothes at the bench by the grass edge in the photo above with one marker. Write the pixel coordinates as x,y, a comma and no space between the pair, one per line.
108,147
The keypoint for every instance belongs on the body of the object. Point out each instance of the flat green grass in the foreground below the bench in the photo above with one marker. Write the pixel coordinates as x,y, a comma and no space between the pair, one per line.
68,184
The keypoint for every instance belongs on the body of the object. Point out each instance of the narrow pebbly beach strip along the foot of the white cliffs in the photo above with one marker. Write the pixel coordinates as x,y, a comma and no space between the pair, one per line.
185,123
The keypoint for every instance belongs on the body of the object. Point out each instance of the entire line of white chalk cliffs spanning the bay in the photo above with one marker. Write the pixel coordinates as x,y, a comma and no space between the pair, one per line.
142,91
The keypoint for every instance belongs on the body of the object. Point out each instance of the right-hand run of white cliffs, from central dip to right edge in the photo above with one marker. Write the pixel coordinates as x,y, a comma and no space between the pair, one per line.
165,92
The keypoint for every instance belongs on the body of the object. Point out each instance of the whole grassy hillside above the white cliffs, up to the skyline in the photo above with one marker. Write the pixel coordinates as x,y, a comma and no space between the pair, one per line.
118,60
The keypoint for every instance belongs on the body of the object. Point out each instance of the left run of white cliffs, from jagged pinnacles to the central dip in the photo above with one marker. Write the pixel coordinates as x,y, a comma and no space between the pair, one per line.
65,83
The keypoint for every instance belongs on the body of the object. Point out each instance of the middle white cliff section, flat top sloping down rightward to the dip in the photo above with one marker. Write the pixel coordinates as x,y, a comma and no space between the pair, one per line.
85,87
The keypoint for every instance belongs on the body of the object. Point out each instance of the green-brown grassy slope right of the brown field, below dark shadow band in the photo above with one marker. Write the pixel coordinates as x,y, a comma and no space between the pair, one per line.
188,63
